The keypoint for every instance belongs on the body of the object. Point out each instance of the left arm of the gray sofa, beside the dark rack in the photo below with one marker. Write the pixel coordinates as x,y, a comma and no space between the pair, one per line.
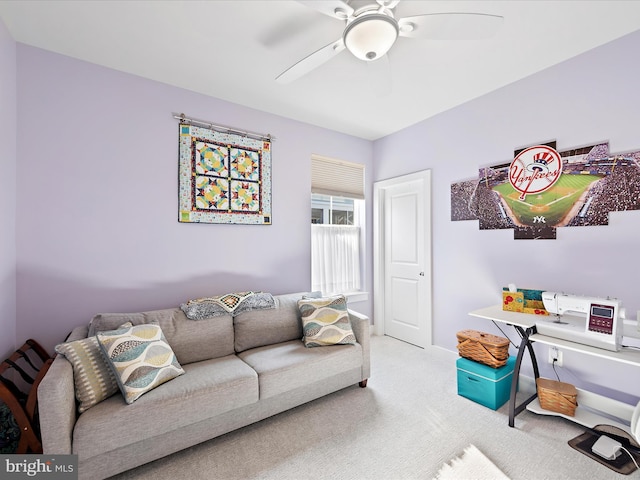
57,403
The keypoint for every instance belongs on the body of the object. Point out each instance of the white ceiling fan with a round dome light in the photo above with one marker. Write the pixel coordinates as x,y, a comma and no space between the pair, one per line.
371,30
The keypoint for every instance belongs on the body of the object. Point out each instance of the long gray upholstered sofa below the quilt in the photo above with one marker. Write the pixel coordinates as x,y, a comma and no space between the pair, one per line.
238,370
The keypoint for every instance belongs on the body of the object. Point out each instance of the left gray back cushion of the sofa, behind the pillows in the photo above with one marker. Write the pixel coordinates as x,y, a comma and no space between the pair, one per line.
191,341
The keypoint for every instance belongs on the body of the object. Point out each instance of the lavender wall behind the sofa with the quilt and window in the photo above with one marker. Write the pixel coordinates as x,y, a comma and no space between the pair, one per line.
97,224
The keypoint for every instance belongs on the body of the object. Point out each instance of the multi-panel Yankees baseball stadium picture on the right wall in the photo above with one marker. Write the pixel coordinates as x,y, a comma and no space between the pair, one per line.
543,189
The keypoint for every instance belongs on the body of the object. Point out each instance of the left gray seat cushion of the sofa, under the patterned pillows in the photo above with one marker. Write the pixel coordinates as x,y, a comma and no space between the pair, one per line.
208,388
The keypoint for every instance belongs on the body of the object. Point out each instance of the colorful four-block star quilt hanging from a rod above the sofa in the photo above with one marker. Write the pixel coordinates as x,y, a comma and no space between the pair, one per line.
224,175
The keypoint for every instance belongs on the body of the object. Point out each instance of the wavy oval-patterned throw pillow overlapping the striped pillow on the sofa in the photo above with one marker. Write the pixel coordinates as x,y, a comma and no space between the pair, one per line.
140,357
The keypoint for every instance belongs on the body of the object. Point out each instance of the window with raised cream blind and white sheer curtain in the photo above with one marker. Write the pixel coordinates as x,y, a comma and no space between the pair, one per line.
337,206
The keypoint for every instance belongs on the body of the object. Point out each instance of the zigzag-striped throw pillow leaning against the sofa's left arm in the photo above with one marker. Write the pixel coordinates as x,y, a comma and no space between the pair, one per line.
94,381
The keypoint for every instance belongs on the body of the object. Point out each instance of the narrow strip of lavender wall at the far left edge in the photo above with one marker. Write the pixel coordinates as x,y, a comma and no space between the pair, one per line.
7,193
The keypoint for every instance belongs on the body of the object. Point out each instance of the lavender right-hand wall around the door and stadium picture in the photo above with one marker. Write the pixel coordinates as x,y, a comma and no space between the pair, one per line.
587,99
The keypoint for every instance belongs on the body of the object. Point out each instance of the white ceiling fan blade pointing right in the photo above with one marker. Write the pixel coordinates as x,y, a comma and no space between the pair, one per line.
450,26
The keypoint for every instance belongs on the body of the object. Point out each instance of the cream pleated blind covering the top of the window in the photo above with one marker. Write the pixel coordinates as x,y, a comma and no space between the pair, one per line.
337,177
